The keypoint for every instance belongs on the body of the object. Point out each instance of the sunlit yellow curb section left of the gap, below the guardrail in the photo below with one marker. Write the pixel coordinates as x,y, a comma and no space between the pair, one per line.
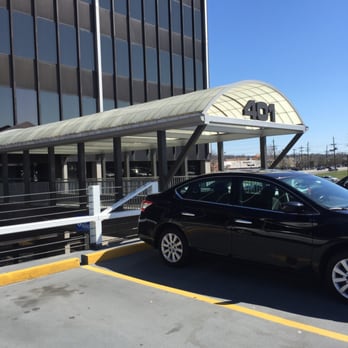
38,271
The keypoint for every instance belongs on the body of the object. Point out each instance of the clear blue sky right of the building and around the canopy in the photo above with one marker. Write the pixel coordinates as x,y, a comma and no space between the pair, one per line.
298,46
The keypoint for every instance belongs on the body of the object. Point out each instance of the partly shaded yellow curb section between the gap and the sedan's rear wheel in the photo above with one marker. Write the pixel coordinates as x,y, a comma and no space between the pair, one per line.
112,253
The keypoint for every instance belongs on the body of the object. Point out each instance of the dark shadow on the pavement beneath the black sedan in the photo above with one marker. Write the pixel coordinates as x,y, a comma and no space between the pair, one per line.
236,282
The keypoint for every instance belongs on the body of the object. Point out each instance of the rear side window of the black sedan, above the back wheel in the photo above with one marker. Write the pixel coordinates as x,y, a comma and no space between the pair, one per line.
217,190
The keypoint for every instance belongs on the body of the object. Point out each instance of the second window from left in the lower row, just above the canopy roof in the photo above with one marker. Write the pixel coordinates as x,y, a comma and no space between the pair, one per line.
26,103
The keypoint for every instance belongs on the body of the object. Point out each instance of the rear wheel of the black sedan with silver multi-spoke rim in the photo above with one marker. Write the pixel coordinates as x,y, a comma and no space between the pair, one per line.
173,247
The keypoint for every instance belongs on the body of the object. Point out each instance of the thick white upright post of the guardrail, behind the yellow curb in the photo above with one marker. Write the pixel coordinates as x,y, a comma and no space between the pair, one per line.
96,235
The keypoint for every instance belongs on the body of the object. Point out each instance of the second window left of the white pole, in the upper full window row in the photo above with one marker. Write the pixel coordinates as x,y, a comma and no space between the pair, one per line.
68,48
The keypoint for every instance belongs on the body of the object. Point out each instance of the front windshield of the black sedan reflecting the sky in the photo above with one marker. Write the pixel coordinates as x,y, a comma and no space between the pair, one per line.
323,192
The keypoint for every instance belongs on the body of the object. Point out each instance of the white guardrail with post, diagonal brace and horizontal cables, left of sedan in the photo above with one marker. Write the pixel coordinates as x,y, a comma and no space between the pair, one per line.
50,223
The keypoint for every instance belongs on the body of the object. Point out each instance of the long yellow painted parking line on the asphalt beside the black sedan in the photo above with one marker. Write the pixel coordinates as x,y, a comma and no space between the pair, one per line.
254,313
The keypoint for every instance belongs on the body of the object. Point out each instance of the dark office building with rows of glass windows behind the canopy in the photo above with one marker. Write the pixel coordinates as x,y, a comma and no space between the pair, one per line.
61,59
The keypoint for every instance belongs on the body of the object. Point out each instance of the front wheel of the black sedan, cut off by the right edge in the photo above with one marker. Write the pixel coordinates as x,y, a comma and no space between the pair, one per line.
337,275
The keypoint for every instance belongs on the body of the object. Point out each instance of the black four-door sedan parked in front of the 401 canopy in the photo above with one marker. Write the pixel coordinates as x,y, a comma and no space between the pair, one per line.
281,218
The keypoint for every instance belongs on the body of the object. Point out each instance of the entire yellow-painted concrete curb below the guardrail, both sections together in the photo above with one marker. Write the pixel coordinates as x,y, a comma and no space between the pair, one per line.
43,267
